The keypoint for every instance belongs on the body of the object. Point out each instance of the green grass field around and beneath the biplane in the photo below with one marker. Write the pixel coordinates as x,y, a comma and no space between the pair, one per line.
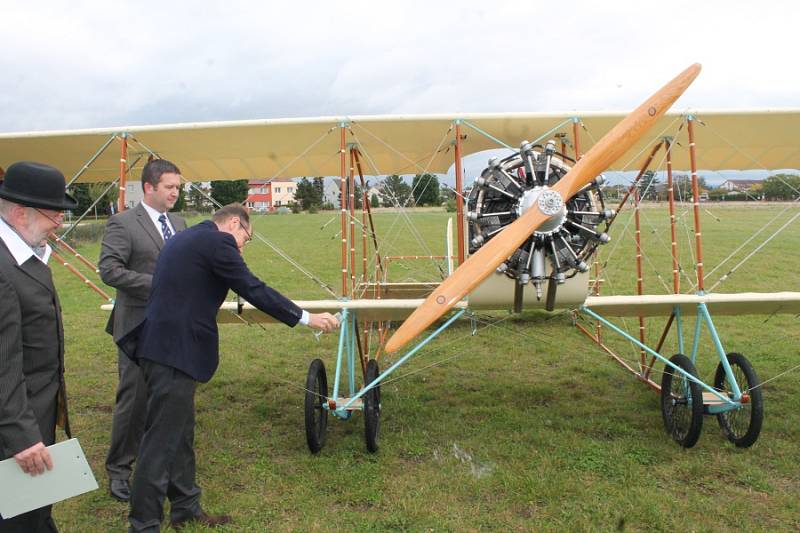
526,426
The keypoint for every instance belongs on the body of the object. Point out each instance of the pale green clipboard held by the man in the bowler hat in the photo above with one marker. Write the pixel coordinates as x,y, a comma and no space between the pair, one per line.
70,476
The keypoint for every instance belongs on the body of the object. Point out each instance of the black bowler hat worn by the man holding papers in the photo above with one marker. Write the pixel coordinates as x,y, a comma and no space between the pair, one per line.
36,185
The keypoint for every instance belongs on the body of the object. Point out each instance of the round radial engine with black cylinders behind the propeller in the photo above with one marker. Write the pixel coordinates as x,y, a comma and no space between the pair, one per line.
559,249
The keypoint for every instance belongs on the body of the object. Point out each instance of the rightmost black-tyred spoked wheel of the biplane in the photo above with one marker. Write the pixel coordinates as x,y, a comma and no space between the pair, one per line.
741,426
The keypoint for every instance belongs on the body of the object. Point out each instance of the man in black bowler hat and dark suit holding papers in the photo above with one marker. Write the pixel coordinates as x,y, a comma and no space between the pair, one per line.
32,393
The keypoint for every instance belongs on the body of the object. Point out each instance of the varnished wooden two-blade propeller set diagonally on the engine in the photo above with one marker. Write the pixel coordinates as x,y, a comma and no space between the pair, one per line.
481,264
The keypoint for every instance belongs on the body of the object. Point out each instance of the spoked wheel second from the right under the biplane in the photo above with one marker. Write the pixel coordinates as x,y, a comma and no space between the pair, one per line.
681,402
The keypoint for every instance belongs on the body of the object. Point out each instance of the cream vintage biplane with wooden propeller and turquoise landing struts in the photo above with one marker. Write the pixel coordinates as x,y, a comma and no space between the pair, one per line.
528,232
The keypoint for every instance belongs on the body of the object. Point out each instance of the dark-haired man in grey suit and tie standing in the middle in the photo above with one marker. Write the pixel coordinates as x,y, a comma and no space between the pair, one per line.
131,244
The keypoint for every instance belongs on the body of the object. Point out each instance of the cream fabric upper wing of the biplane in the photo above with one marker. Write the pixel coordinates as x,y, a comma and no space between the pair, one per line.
740,139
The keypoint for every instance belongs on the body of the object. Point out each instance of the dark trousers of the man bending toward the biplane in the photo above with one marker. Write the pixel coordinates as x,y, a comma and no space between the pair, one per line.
166,466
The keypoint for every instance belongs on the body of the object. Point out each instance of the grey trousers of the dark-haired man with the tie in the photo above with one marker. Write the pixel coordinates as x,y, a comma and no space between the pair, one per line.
127,426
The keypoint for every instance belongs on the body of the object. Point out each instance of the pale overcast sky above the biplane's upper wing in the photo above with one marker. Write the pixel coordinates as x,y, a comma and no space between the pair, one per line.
81,64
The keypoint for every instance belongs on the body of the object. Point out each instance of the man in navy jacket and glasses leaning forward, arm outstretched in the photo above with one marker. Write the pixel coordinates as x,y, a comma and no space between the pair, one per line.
177,345
